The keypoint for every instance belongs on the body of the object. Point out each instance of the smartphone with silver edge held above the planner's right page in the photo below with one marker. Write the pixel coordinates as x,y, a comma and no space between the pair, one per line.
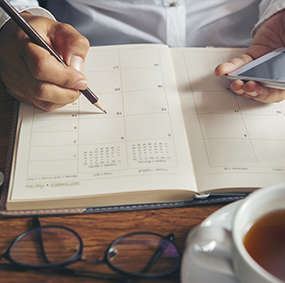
268,70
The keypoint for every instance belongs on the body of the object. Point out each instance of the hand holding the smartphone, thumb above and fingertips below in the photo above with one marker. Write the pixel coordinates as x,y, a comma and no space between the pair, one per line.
269,37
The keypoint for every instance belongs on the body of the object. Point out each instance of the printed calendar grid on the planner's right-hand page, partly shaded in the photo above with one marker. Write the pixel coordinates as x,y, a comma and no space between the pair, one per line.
240,126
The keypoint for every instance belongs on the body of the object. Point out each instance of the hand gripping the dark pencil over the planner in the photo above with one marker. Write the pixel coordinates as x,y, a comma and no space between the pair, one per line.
31,74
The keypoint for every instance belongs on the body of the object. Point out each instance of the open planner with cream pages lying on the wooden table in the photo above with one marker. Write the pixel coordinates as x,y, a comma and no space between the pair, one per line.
172,130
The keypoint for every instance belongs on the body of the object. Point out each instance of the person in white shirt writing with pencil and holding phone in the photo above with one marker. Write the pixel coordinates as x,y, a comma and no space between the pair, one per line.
32,75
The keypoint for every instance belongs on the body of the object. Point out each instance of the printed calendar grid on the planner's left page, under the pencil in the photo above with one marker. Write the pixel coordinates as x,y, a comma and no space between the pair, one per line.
134,97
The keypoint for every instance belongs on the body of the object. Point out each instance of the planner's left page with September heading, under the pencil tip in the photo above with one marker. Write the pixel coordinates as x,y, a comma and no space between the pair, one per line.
79,151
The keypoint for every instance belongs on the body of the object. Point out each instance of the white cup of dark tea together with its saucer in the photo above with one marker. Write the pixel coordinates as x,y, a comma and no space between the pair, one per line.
248,249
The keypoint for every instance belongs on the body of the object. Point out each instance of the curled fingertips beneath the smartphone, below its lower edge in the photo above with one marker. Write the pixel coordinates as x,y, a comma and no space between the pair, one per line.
255,91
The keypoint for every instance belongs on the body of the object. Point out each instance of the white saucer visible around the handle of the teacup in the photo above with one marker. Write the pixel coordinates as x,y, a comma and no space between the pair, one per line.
192,270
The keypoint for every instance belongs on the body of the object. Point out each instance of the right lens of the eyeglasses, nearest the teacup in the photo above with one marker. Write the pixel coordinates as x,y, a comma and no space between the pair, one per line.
144,254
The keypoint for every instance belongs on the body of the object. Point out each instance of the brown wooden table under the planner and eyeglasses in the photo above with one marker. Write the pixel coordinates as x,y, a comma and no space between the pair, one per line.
96,230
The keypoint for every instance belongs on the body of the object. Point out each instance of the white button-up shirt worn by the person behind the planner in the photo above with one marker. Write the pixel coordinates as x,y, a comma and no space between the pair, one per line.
175,23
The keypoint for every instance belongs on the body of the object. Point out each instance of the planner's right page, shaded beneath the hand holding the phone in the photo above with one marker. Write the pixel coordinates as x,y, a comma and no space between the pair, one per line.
235,142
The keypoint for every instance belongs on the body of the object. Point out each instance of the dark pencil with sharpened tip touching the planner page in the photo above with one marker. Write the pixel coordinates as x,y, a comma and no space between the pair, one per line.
37,39
